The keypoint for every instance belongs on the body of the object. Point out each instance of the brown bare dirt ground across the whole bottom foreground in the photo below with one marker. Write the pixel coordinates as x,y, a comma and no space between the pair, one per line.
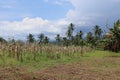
71,71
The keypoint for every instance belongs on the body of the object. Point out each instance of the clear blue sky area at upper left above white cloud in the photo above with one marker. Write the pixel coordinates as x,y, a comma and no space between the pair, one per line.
19,9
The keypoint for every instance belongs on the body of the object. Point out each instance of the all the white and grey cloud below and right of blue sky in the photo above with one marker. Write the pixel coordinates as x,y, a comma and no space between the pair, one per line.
85,13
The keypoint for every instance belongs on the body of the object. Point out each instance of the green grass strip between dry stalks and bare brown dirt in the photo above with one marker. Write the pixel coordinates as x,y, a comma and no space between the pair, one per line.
43,62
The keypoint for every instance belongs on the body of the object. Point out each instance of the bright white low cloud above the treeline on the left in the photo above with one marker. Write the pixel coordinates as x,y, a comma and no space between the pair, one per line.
32,25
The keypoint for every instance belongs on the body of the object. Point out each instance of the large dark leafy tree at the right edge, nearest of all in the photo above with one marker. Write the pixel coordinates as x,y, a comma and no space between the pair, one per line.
113,41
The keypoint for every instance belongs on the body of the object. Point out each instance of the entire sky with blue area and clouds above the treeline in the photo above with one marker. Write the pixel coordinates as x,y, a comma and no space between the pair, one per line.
18,18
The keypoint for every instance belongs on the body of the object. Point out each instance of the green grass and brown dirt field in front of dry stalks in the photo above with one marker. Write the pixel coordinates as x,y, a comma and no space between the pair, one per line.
89,65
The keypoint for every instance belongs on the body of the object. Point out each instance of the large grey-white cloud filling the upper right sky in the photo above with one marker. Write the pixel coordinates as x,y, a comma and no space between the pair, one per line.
92,12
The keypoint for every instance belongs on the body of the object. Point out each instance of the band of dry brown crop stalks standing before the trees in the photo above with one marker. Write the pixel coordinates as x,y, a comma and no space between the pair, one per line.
54,52
